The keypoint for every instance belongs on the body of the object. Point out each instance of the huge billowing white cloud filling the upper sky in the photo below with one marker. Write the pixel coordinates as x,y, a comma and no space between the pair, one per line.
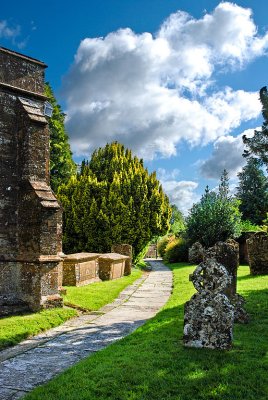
151,92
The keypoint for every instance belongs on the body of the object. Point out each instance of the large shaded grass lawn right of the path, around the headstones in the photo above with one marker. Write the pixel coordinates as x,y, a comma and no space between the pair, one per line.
152,363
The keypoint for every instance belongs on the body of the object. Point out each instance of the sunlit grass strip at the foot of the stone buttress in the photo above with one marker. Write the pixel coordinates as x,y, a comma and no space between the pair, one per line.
17,328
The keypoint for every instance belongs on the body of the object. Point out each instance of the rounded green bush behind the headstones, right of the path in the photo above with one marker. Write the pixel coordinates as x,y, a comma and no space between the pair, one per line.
216,217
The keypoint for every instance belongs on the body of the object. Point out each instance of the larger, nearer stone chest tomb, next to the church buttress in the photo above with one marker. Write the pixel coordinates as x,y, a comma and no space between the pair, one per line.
80,269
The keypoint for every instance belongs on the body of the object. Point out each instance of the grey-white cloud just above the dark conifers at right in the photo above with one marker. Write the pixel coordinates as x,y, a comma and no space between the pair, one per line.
226,154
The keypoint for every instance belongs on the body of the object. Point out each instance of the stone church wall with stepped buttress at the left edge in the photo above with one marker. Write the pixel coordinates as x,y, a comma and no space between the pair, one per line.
30,216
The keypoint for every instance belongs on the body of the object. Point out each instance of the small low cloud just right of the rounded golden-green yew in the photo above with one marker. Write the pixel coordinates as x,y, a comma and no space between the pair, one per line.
181,193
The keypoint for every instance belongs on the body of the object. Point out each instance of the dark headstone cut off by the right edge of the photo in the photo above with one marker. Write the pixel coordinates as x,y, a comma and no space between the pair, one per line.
258,253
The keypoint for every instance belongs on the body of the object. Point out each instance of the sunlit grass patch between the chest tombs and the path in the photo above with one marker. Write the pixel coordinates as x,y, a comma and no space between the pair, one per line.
96,295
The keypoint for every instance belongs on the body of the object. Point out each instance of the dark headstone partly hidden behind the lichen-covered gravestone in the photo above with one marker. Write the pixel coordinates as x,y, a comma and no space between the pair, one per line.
227,254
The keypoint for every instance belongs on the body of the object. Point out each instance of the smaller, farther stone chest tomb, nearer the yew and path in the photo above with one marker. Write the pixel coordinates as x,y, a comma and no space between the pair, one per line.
112,266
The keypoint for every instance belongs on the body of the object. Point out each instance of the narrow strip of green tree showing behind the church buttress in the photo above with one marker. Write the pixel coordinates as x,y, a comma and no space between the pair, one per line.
62,165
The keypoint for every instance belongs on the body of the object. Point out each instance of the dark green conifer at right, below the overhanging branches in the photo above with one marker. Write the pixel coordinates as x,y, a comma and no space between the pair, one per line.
253,192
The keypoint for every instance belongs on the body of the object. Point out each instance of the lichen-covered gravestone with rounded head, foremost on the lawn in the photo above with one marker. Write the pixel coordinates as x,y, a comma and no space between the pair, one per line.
209,315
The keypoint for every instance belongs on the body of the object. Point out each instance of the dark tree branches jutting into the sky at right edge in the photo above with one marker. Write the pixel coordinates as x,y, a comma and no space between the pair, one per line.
258,144
